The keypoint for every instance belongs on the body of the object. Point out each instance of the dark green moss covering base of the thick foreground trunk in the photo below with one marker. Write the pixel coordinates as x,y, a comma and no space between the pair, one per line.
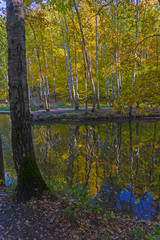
30,182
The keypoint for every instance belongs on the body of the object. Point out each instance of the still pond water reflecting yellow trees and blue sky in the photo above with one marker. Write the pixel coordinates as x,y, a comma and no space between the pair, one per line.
119,162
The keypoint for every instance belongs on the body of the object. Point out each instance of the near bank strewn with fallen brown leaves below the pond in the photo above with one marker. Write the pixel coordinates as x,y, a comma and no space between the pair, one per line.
58,217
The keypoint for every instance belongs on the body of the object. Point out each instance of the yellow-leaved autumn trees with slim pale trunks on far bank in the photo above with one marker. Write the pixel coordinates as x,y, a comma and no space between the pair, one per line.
100,52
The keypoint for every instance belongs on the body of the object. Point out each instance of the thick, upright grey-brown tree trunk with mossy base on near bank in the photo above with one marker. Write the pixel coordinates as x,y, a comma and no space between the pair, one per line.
30,181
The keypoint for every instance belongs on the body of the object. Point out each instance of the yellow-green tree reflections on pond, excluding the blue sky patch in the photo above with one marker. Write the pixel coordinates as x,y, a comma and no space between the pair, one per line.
122,152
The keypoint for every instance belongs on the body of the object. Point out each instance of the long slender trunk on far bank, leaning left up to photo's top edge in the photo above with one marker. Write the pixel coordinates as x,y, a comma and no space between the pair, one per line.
86,55
